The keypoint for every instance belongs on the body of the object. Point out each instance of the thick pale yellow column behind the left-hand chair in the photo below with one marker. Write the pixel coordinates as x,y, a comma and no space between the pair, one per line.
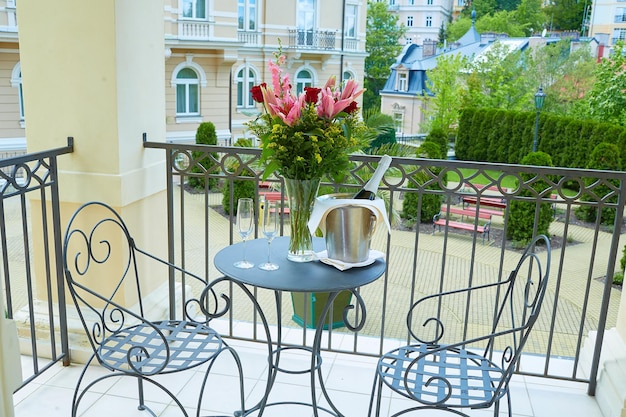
94,70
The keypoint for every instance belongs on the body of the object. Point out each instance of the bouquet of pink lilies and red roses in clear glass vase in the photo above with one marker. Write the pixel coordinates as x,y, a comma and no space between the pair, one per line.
305,137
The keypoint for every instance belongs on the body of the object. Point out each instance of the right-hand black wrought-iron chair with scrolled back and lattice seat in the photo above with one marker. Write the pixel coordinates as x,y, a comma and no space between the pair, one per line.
473,373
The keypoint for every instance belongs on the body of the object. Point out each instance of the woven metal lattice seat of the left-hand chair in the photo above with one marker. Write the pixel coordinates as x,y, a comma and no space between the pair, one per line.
190,344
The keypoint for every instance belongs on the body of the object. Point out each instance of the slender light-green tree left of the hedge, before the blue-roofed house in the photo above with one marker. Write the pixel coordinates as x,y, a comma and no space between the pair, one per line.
444,81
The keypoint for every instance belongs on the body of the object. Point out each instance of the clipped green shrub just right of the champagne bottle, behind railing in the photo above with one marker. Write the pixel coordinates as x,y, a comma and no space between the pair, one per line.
430,203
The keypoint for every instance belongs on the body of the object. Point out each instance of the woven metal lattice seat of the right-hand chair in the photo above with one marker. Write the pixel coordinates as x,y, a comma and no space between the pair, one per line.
449,377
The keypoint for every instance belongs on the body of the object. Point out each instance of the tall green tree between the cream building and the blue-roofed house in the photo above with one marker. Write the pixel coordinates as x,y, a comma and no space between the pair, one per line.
382,47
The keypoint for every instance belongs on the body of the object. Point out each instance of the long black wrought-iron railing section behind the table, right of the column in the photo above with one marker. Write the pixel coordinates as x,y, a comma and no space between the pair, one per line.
421,260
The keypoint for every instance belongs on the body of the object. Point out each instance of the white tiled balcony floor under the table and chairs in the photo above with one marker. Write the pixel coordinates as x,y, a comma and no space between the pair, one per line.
348,379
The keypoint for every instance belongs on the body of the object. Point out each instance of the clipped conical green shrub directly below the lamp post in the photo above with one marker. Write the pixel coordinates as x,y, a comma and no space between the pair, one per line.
524,216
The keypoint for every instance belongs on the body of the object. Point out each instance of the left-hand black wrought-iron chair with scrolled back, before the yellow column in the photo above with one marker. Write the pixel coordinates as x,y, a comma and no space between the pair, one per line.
102,268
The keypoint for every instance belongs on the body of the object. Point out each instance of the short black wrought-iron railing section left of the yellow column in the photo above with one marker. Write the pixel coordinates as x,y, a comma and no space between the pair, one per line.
30,228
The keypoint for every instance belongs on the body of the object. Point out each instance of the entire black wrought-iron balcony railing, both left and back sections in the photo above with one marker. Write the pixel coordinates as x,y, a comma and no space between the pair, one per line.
580,298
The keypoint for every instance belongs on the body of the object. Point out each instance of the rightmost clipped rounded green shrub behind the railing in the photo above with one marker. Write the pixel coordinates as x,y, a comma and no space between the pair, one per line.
604,156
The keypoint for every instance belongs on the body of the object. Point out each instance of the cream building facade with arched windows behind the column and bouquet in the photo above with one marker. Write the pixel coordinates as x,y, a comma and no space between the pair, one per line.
214,52
